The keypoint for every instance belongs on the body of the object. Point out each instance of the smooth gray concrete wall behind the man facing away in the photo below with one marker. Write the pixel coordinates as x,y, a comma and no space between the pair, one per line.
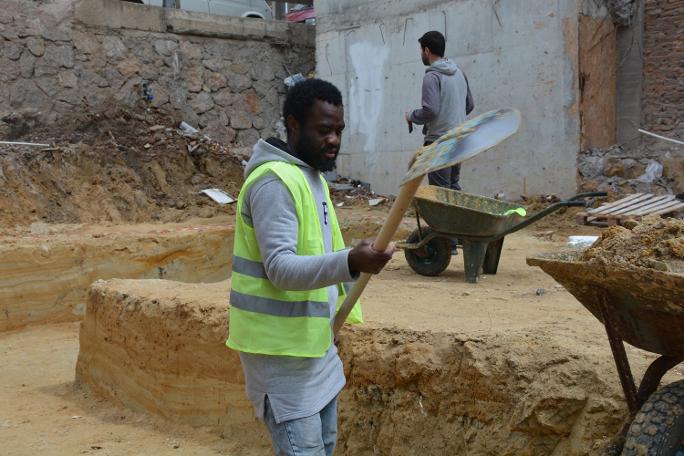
517,53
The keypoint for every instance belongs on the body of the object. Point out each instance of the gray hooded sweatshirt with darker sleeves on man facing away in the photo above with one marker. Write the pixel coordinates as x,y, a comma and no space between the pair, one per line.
446,99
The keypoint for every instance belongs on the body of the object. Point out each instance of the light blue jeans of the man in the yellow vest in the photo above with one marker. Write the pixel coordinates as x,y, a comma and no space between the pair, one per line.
314,435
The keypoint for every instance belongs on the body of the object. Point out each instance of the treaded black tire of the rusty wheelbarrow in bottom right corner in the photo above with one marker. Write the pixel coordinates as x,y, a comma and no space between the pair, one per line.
658,428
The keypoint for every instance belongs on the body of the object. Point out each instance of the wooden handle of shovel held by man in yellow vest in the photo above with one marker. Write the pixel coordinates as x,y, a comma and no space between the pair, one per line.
401,204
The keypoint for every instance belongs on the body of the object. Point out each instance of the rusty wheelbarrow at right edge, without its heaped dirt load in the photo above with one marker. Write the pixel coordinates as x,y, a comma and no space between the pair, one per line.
644,308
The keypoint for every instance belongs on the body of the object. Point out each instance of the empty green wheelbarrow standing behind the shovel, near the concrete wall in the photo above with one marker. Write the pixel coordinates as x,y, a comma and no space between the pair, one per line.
477,223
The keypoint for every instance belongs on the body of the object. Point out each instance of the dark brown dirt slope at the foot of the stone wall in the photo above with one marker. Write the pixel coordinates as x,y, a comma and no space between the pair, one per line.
116,166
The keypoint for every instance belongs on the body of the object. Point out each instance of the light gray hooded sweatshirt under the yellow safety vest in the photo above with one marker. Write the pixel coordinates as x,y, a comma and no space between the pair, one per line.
296,387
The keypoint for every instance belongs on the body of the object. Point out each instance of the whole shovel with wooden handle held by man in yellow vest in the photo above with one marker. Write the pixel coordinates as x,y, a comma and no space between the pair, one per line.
463,142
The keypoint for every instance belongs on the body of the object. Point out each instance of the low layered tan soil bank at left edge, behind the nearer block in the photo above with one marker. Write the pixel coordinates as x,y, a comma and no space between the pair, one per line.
45,274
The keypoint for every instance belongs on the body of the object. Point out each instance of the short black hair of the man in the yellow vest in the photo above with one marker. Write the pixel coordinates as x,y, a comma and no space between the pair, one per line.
301,97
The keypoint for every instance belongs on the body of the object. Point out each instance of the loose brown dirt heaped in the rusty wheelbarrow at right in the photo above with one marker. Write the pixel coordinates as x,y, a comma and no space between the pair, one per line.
653,243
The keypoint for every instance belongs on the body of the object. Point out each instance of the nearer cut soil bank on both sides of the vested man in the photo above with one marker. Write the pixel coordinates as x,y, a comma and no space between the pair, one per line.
158,347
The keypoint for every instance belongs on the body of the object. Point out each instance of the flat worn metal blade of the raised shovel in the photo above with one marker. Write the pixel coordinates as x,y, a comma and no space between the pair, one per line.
465,141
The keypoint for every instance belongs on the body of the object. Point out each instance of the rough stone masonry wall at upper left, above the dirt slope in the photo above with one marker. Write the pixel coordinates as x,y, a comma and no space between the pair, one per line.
223,75
